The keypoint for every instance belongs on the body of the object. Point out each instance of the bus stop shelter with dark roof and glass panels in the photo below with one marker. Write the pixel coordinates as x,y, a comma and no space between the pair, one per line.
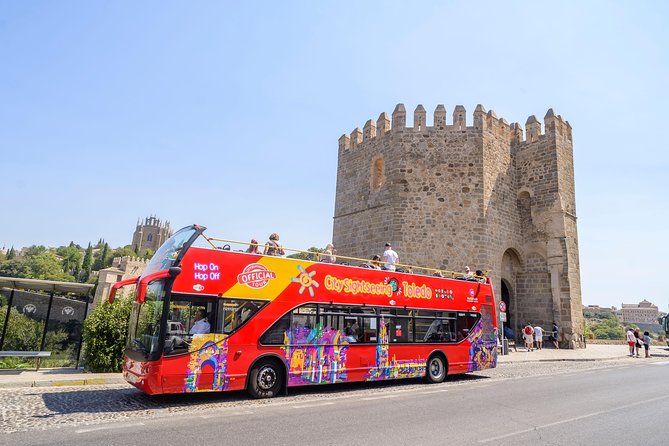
42,316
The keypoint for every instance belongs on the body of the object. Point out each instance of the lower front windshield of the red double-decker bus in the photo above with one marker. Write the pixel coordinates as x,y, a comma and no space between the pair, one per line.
144,330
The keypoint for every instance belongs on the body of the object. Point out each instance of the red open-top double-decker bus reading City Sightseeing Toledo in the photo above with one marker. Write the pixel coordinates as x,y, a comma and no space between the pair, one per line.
212,319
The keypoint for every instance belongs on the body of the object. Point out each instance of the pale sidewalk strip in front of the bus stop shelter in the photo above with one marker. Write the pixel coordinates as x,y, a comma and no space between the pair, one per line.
56,377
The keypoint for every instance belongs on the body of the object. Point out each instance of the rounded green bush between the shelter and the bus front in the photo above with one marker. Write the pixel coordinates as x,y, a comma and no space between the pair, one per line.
105,333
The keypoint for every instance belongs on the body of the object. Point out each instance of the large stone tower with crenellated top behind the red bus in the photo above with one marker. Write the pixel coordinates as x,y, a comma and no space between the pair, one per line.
484,195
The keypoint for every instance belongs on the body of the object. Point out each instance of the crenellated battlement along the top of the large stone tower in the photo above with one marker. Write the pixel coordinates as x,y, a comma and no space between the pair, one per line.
483,121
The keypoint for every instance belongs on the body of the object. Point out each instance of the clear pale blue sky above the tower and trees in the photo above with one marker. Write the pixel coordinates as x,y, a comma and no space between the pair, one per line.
227,114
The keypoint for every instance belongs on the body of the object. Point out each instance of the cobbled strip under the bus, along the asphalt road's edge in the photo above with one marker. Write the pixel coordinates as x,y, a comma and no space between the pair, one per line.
40,408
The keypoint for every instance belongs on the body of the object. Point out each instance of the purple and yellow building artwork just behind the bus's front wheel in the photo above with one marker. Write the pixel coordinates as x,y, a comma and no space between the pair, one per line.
315,355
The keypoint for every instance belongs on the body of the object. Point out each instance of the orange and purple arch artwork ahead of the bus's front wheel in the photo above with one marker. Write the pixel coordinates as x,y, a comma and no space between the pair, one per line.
209,350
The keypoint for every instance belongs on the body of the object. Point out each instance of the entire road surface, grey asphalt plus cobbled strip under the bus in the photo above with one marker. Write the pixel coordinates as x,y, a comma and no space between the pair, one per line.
614,402
